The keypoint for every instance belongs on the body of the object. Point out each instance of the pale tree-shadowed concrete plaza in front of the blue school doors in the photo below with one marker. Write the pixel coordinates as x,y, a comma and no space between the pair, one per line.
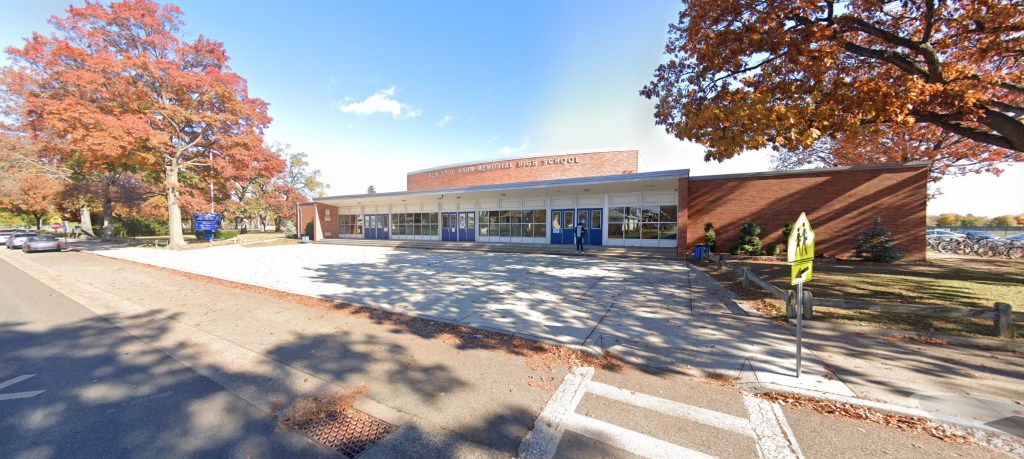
656,313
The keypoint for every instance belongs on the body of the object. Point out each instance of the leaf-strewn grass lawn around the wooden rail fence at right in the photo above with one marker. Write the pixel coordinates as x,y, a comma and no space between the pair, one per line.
945,281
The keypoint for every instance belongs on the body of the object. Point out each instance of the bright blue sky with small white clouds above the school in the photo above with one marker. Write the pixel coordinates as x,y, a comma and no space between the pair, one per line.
373,91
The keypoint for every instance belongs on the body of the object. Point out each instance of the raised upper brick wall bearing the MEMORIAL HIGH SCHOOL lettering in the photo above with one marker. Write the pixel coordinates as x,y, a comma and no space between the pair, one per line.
526,170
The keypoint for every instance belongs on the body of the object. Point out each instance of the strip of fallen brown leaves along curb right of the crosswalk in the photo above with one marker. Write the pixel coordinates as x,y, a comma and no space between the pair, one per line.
900,423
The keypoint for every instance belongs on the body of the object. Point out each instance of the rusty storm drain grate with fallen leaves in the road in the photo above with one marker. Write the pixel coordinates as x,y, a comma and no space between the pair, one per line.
350,433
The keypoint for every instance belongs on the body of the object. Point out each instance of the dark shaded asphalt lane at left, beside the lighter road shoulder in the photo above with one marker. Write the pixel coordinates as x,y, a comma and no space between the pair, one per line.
106,393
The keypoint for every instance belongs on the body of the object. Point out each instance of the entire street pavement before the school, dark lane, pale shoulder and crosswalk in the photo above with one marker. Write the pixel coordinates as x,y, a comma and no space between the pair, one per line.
114,394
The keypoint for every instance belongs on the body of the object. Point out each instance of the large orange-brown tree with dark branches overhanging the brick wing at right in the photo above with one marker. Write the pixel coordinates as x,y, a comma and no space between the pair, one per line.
753,74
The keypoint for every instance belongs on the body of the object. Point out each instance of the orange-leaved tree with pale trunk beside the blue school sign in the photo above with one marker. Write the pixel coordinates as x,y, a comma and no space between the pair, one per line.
116,90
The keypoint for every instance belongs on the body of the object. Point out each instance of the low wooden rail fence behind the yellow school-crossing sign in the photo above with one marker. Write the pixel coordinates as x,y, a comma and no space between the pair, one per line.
1002,314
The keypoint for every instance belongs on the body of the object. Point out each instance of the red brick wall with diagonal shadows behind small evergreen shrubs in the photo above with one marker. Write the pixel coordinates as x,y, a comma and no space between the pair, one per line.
839,204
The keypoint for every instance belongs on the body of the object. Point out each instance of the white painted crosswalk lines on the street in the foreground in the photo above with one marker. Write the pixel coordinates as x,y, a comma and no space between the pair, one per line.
767,426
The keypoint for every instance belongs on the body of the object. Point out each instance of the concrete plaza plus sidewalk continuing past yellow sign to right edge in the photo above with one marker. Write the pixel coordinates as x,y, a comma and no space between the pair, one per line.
655,313
